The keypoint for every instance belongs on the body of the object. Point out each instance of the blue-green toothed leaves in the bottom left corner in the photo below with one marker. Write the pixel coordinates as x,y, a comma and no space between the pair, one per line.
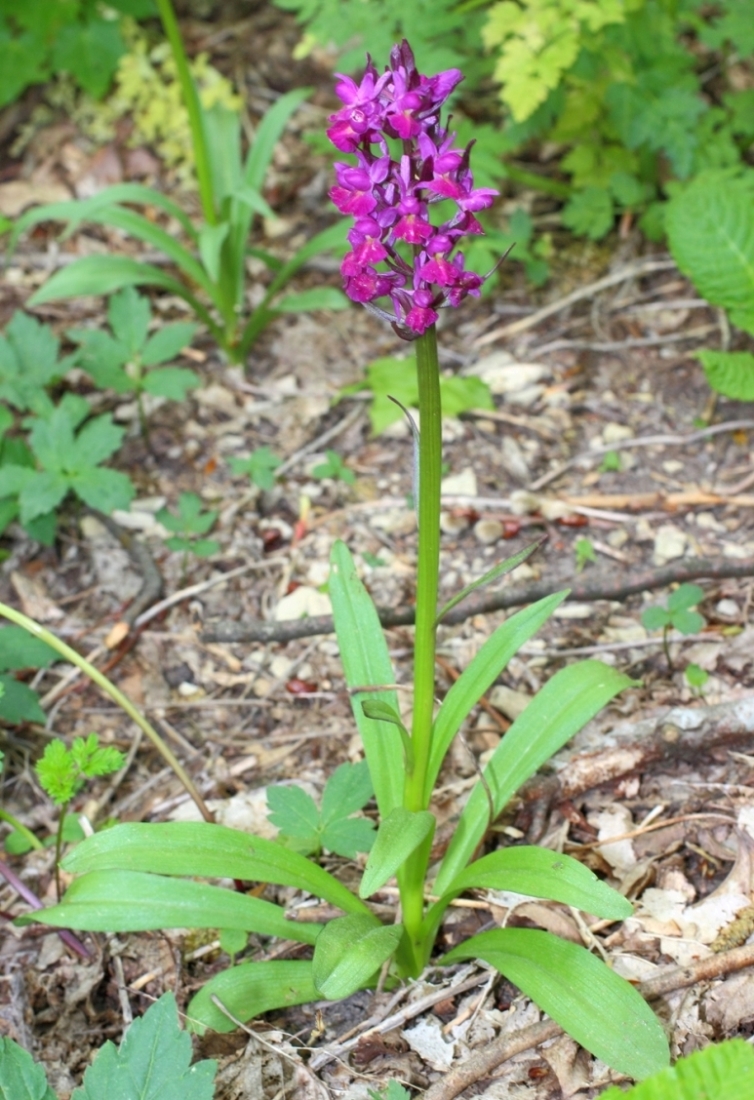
155,1060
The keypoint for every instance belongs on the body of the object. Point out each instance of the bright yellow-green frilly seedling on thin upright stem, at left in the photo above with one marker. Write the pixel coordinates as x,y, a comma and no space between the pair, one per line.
63,772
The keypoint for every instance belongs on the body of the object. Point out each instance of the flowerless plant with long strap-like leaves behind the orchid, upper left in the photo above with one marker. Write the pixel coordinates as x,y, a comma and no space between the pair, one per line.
212,257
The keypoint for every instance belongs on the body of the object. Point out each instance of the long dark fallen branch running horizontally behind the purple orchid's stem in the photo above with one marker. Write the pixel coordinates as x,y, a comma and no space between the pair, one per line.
583,589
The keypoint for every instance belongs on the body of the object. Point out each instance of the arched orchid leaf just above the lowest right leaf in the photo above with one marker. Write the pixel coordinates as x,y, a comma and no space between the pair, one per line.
543,874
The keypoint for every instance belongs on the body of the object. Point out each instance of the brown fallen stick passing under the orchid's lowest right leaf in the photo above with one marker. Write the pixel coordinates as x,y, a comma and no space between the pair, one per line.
483,1063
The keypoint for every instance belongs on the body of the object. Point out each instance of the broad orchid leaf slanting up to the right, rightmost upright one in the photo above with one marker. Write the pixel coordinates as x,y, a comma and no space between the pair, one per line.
561,709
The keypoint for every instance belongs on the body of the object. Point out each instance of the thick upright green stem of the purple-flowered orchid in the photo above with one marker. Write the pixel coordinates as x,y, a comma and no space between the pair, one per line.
413,954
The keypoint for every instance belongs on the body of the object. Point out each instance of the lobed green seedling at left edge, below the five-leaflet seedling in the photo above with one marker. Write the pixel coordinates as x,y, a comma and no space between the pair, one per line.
67,452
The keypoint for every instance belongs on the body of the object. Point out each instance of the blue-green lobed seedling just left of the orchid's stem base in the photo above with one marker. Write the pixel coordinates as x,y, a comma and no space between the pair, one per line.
308,829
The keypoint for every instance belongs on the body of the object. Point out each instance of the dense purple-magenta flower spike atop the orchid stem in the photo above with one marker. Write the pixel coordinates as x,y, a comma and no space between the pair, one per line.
398,254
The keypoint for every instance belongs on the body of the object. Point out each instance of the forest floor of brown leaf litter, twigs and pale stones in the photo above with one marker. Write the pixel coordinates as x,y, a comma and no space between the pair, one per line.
599,362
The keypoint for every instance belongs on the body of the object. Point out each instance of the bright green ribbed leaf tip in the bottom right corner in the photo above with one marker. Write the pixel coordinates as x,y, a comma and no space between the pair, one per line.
718,1073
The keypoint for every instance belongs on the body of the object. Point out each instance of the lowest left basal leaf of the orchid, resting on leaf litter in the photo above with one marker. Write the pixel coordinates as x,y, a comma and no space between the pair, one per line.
249,991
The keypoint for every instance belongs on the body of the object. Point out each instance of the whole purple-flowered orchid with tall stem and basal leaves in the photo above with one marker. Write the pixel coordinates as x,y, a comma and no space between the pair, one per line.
146,876
